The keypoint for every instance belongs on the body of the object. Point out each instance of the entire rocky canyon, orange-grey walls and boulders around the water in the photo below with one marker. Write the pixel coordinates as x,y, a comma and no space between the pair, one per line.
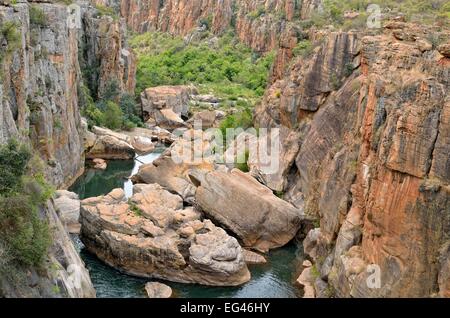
364,128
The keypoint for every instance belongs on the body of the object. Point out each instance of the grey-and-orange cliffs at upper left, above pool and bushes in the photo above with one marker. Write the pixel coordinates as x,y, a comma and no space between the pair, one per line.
42,78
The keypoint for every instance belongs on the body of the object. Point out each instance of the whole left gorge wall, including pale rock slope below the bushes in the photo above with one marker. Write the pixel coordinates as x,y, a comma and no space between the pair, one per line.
42,56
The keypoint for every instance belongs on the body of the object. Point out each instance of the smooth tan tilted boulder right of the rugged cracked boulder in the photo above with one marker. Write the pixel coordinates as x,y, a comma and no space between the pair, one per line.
250,210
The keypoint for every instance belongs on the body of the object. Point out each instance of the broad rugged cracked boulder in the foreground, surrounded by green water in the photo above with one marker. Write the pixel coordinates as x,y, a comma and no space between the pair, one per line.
151,235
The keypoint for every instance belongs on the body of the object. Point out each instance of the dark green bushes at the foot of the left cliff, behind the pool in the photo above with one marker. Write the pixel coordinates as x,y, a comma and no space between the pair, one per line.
113,110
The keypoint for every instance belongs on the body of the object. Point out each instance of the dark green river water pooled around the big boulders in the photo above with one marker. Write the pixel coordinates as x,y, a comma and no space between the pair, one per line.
275,279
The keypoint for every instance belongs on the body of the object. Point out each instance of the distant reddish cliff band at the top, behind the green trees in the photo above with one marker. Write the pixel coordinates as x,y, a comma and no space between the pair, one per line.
263,25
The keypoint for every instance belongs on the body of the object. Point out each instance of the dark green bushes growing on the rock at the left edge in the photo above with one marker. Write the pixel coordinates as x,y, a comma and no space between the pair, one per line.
24,233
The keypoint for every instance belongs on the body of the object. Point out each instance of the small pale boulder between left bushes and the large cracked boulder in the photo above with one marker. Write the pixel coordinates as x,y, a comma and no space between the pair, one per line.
67,206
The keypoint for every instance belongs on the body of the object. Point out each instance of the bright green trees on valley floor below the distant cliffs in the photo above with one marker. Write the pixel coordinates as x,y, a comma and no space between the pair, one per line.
227,69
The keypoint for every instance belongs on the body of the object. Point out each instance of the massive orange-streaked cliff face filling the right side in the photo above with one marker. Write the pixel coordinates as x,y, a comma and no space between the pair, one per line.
372,114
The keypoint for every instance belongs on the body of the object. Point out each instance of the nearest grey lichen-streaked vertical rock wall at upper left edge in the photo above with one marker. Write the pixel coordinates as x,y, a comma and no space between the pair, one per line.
39,97
